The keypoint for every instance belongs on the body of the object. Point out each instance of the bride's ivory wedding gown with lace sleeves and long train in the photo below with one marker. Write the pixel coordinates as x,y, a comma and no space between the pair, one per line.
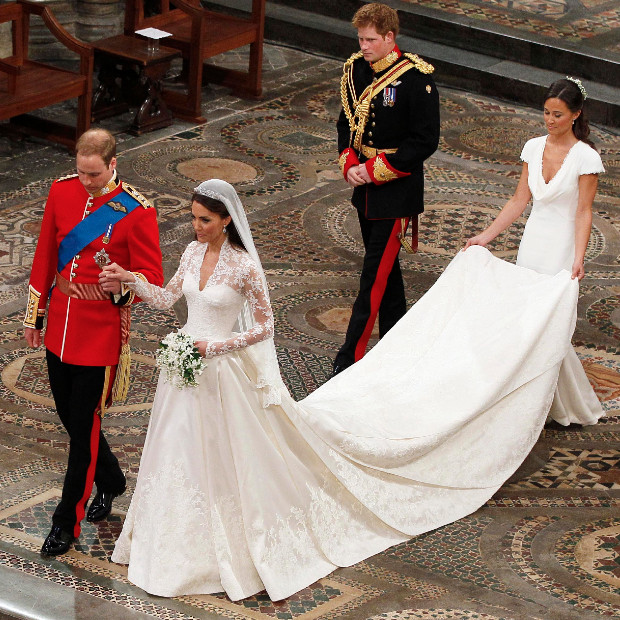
234,496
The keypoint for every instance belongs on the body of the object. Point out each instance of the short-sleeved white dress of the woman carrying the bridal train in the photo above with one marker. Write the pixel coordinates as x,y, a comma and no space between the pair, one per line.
548,246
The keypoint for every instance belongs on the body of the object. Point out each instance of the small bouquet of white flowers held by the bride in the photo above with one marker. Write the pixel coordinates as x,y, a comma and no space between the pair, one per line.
181,360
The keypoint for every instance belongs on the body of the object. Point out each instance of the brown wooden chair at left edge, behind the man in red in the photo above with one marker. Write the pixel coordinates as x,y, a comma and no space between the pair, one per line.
27,85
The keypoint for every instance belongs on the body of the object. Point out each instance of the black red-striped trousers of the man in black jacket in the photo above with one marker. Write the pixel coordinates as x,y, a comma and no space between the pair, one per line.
381,291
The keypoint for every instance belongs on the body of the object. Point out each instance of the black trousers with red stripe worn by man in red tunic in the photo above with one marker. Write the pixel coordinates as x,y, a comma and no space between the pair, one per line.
79,392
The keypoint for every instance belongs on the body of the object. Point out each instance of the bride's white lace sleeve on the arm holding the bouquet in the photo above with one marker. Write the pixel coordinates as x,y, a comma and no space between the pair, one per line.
253,290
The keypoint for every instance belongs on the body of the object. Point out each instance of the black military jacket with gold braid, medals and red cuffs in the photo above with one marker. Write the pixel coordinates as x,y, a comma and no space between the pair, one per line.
403,116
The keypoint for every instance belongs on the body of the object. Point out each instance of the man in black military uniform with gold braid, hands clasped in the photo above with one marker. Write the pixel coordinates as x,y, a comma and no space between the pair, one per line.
388,126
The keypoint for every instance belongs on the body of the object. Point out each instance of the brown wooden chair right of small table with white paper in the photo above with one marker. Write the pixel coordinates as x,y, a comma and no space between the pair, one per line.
201,34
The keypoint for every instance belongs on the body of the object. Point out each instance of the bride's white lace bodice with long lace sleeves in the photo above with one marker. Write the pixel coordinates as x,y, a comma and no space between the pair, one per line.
213,311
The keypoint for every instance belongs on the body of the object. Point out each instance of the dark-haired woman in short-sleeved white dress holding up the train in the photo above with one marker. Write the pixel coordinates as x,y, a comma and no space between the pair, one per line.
560,172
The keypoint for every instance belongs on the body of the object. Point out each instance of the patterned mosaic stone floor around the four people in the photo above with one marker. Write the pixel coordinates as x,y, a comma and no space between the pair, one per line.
547,546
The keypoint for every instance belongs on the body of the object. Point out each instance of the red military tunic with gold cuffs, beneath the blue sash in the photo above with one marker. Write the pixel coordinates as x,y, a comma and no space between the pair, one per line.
81,331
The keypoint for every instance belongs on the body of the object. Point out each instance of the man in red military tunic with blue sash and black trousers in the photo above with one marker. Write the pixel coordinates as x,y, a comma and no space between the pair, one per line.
91,219
